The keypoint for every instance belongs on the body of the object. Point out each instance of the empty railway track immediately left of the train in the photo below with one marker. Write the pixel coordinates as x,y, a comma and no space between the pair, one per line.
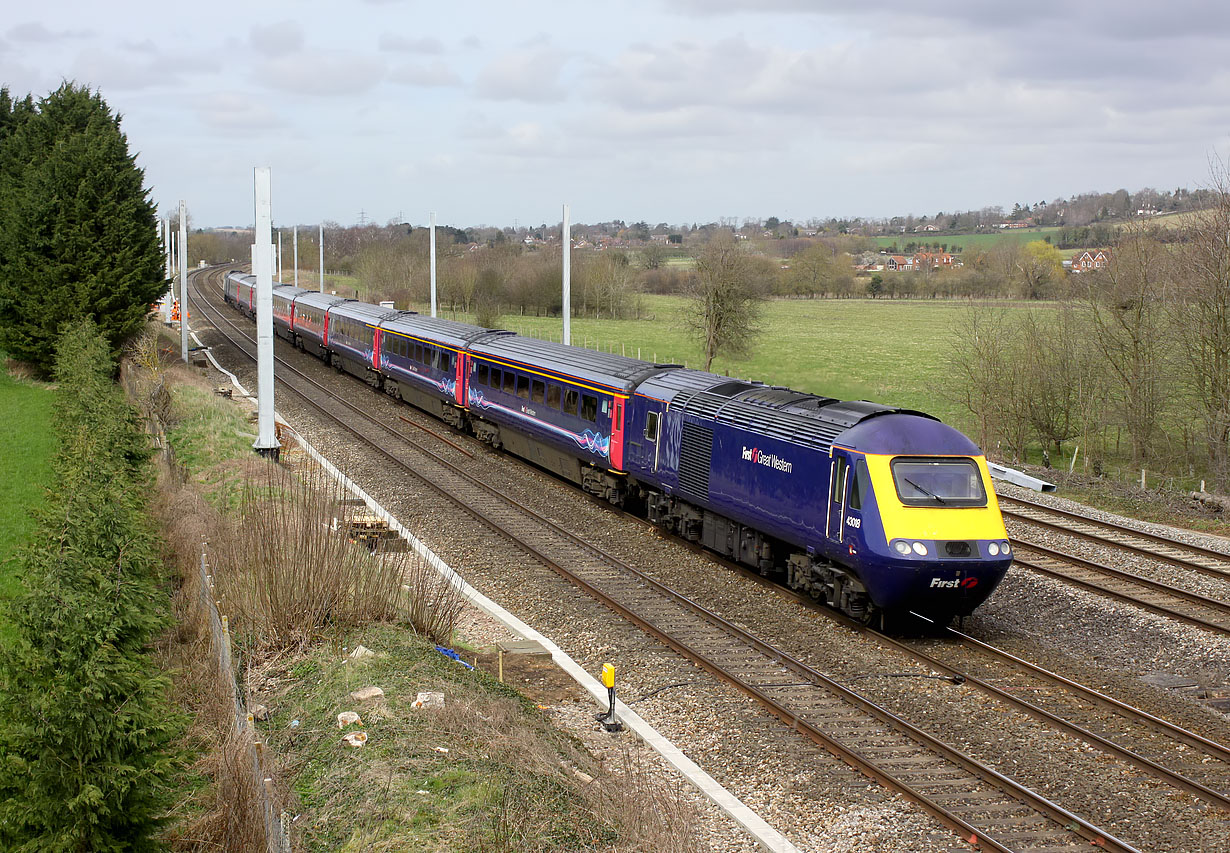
981,804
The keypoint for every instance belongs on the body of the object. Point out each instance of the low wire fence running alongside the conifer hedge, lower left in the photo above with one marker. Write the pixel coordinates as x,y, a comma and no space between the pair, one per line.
277,820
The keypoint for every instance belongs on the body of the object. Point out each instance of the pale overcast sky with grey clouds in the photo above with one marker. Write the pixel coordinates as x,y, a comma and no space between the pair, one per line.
673,111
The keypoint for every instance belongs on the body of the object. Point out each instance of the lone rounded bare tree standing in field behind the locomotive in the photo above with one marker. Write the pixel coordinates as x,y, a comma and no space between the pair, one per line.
724,300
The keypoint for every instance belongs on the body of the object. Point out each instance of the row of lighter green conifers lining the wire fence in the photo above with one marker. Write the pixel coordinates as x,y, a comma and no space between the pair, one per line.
87,744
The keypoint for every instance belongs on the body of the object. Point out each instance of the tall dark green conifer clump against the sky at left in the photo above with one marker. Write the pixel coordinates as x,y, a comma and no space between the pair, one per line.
77,226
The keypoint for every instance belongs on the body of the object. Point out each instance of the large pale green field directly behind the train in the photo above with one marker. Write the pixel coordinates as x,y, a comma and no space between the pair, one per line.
880,350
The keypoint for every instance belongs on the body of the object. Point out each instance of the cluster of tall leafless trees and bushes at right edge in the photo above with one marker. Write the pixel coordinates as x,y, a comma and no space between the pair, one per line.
1132,362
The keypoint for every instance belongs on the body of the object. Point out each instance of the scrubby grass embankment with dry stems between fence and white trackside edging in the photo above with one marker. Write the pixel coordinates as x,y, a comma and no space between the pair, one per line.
486,772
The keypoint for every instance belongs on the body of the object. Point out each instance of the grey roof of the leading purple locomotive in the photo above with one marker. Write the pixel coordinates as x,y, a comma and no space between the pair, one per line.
779,413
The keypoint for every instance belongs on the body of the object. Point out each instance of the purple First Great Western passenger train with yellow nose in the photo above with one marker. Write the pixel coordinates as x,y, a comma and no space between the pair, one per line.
875,510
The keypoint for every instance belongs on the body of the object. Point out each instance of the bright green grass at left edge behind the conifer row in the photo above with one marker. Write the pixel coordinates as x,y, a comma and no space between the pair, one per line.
25,470
